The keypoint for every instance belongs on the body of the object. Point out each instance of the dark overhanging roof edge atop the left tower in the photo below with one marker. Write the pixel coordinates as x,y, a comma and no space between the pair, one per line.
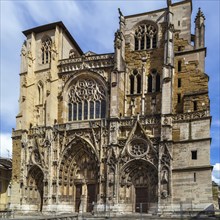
52,26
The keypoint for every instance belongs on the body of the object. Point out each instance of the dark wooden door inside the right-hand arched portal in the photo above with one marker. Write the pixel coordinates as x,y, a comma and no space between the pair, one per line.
141,199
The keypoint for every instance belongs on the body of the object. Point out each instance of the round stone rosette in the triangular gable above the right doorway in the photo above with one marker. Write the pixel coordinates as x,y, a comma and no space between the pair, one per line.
138,147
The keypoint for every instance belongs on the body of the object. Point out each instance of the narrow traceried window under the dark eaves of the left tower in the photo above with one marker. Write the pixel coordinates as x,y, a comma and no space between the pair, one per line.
46,44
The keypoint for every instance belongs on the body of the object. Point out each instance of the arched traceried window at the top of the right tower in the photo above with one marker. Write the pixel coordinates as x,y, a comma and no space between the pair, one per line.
145,37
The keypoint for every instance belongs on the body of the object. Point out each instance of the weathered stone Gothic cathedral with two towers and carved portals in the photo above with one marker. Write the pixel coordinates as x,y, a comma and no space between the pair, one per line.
122,132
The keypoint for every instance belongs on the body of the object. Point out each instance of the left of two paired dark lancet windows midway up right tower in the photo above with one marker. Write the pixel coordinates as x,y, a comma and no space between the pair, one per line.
135,82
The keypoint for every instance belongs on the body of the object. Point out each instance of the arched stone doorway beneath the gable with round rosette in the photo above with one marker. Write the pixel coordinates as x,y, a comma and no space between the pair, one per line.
142,179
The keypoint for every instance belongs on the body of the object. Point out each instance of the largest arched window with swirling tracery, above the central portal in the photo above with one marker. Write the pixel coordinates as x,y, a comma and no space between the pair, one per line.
87,100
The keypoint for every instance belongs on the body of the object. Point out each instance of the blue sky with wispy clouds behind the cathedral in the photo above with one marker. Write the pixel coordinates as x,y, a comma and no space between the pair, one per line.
92,24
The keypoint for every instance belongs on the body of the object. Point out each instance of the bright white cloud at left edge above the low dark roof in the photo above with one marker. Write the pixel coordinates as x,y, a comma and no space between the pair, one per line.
5,145
